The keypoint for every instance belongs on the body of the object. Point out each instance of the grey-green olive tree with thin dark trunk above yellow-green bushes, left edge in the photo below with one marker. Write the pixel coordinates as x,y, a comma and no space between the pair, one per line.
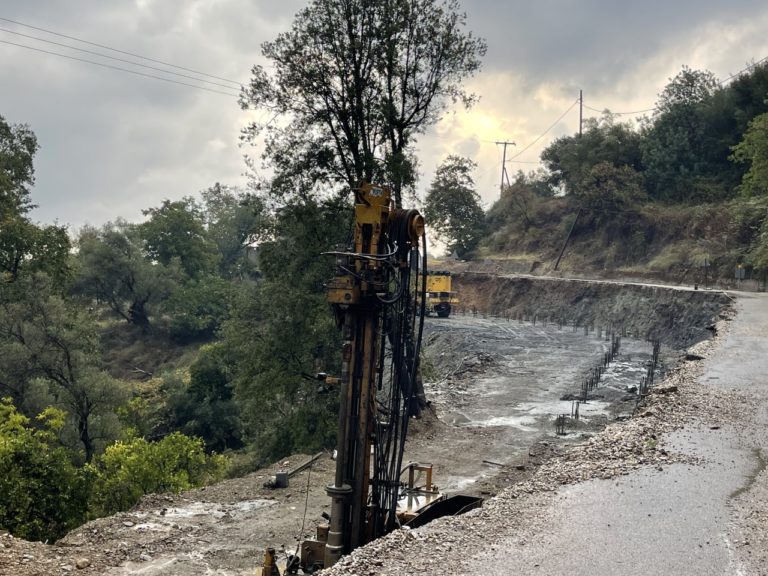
45,337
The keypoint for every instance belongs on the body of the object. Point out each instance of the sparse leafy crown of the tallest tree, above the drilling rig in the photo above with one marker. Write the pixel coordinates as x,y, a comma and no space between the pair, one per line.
357,80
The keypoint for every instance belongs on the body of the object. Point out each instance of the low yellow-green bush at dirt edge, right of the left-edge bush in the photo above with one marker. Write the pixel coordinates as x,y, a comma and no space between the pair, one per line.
130,469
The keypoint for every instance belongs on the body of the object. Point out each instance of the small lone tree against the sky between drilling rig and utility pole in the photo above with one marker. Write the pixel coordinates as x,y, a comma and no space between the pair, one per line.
452,207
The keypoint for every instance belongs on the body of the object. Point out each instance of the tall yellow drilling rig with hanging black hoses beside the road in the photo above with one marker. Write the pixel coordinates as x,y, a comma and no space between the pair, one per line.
377,296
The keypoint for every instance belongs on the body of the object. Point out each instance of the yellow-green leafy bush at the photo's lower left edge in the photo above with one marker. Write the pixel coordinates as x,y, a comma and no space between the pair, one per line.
42,494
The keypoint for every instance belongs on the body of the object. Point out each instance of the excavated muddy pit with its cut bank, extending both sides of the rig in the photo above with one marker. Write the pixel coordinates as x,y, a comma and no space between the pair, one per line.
496,376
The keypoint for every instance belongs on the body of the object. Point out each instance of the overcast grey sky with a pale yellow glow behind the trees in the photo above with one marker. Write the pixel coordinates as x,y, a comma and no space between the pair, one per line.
113,143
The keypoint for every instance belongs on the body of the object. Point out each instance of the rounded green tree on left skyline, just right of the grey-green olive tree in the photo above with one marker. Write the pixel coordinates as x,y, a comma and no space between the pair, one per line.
176,231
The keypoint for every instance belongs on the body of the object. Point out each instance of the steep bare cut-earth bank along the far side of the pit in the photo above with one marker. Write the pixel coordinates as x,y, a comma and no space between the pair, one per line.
678,317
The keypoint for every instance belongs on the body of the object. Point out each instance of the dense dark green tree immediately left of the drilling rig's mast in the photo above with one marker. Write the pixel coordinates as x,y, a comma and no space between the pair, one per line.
281,333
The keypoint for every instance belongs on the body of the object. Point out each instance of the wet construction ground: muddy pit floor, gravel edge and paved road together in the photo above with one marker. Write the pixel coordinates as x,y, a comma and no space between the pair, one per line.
496,386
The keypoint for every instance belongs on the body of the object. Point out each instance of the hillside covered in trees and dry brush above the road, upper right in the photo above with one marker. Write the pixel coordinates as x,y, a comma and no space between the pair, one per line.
682,195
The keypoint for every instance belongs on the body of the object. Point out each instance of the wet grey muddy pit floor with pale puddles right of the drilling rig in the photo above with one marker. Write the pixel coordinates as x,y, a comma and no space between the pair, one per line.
502,383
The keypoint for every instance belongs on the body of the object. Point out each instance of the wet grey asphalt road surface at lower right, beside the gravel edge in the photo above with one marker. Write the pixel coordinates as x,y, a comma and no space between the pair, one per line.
676,521
